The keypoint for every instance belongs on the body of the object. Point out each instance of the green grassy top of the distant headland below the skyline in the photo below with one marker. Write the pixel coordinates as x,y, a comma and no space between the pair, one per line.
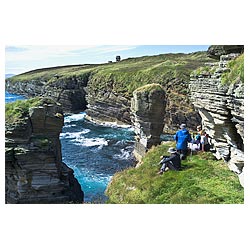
124,76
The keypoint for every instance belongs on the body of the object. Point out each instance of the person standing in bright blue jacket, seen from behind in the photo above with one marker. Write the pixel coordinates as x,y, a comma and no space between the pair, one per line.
182,137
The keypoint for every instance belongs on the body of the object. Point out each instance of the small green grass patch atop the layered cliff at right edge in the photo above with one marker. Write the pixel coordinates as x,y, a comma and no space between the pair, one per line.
236,72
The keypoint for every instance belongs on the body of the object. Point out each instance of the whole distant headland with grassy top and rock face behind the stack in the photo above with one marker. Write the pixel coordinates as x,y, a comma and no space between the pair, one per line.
105,91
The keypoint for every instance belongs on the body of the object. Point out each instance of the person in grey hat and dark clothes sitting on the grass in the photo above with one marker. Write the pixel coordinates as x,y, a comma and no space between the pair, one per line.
172,162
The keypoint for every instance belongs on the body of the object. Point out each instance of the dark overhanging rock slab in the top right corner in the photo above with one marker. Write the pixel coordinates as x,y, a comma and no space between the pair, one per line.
215,51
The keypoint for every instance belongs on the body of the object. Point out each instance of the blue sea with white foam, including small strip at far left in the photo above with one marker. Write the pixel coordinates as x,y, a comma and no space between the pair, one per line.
95,152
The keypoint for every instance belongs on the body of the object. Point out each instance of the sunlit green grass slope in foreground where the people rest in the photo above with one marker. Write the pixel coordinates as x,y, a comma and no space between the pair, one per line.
203,180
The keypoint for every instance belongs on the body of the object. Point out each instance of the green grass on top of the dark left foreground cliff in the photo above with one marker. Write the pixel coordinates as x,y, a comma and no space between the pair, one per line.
17,110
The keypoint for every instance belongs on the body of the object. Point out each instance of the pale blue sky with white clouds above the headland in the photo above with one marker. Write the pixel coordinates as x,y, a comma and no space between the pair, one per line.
19,59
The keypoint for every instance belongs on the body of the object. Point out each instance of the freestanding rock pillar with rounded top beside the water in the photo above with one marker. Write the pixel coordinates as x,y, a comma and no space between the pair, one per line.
148,110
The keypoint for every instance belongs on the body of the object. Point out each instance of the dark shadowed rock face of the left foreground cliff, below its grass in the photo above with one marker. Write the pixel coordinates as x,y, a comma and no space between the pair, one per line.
34,171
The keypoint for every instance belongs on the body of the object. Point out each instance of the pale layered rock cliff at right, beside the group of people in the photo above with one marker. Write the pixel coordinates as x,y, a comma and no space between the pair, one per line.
221,107
